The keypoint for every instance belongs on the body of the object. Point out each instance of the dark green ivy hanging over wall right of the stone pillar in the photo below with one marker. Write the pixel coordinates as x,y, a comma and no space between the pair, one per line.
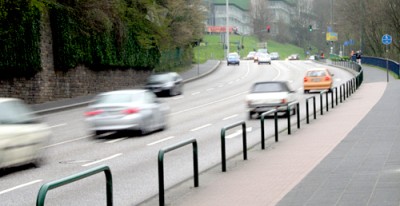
74,45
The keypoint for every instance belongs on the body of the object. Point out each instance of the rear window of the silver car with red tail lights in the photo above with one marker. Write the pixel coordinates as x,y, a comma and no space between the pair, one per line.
119,98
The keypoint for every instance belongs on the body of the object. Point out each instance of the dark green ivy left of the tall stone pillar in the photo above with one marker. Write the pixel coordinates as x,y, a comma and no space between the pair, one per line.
19,39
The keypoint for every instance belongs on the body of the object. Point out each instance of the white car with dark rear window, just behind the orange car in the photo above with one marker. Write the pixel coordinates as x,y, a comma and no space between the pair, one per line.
265,96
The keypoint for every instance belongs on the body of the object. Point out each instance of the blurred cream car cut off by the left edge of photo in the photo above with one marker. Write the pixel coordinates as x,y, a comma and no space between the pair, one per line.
22,134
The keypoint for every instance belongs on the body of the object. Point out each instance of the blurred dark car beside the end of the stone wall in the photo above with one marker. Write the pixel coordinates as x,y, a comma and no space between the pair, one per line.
169,83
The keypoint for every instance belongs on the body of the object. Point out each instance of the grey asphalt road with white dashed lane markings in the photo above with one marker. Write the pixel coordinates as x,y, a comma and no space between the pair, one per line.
207,105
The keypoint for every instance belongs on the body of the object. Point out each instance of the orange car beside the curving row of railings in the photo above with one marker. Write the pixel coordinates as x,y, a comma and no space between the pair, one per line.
318,79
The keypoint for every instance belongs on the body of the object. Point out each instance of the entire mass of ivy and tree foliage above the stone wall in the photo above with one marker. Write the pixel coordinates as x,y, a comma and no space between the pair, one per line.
99,34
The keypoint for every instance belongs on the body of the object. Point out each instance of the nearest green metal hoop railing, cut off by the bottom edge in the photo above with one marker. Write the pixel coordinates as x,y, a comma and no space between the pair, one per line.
58,183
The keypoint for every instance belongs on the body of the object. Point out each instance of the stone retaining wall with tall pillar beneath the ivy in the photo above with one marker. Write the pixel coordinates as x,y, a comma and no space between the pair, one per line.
52,85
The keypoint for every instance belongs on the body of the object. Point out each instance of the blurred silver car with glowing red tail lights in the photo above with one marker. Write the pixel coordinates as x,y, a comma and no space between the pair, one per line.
126,110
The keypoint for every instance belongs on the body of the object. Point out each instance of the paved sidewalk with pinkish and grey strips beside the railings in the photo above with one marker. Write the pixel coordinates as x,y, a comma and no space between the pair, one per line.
348,156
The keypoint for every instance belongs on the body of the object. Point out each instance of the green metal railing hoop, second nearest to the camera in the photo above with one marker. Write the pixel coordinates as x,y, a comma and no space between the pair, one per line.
161,166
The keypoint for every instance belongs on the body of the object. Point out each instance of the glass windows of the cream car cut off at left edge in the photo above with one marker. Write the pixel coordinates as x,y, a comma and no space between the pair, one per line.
15,112
